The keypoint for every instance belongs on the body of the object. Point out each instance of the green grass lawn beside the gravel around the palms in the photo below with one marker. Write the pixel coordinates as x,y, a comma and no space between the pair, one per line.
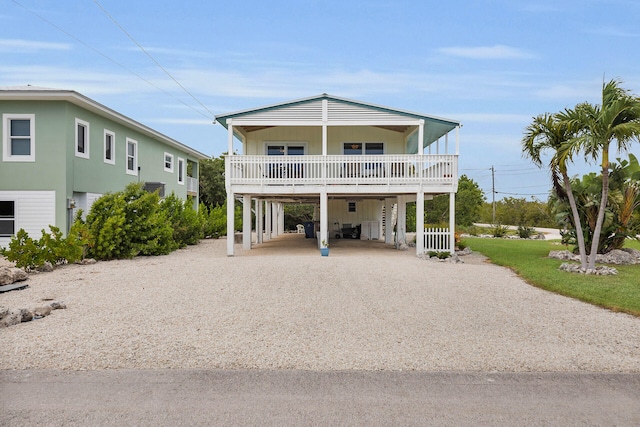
528,258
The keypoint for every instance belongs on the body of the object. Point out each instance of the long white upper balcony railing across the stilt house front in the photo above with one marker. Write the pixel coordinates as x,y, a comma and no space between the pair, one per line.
346,170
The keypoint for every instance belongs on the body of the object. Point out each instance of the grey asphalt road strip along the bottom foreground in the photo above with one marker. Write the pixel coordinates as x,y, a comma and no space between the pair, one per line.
221,397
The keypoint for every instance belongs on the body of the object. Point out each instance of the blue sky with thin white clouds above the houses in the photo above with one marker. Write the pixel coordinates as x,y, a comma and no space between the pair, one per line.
492,65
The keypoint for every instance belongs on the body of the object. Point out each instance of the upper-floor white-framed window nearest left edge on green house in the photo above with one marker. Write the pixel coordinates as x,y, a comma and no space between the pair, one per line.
18,138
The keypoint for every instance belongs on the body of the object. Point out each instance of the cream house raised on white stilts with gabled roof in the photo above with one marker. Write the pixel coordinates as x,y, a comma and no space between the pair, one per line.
358,163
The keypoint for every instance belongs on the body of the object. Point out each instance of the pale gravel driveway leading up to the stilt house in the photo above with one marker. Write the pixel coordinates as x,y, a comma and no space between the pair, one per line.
378,309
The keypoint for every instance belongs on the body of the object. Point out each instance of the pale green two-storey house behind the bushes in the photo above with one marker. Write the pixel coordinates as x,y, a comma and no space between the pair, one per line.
62,150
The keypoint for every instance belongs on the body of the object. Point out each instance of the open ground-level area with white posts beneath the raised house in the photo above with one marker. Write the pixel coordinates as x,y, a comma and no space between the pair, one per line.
263,221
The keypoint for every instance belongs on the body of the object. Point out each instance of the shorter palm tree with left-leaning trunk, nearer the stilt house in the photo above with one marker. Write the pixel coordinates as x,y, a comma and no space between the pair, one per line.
548,132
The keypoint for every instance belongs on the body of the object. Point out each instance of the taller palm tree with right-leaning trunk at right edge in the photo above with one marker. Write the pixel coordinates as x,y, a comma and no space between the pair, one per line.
617,119
